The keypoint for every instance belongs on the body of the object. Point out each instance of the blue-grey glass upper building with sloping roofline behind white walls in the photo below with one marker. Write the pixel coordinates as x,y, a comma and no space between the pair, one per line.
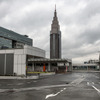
10,39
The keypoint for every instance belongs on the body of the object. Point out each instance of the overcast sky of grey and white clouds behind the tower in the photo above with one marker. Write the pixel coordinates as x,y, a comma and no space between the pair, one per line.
79,23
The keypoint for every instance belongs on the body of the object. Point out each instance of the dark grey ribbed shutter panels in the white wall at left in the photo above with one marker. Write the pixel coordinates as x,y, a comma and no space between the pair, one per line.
6,64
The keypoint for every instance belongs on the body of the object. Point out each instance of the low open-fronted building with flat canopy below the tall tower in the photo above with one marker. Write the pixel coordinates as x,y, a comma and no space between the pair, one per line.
51,65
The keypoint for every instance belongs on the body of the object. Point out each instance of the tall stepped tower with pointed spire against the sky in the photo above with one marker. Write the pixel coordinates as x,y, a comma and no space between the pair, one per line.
55,38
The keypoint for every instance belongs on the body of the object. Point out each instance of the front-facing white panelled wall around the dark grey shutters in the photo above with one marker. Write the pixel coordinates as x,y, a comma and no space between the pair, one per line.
19,60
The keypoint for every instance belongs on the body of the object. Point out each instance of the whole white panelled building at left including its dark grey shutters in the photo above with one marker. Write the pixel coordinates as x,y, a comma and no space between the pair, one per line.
14,61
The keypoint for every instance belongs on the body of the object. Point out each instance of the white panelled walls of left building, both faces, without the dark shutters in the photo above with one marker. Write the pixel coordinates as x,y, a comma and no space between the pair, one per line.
19,66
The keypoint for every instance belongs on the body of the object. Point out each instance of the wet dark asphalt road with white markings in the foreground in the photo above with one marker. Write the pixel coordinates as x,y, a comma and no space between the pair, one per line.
70,86
